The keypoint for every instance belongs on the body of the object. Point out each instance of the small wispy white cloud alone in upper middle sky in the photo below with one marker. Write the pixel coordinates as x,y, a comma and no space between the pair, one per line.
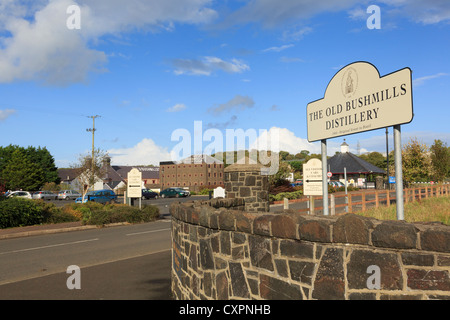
207,66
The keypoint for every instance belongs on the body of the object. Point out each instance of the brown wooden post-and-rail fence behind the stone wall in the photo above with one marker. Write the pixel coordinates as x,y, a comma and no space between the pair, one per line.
357,201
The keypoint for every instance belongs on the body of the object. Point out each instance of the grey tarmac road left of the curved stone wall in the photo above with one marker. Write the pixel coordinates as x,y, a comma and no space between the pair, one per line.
122,262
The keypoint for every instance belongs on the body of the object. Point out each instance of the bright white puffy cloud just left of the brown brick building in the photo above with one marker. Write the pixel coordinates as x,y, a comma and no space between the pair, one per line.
144,153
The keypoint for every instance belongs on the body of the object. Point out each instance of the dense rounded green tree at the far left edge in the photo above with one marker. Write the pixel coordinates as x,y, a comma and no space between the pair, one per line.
22,173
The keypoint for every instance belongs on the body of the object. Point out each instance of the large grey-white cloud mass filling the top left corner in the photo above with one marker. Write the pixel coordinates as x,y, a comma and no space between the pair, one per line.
37,45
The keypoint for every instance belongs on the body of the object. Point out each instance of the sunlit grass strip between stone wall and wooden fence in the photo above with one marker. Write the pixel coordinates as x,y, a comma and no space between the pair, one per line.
425,210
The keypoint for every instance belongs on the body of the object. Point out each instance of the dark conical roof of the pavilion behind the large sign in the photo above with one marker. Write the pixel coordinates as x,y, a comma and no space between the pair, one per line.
352,163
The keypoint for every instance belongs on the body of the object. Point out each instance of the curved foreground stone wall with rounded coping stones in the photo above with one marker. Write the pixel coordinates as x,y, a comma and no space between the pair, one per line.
222,253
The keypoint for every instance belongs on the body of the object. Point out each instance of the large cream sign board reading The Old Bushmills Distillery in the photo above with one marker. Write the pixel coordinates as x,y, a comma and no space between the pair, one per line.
357,99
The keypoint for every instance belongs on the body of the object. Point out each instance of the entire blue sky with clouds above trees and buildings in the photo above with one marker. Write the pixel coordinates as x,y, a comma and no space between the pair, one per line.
148,68
